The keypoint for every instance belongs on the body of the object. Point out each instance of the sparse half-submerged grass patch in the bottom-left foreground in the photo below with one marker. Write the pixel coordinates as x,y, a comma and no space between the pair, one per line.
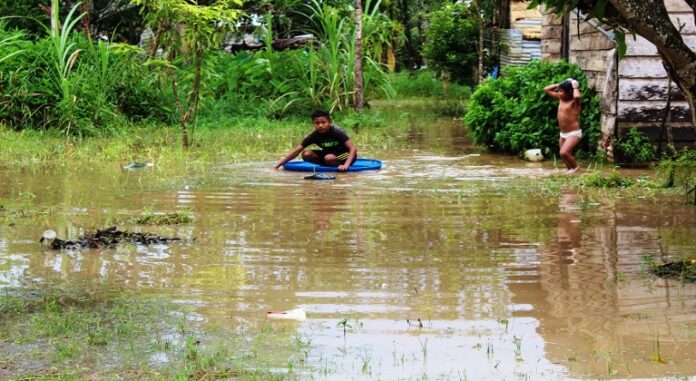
102,332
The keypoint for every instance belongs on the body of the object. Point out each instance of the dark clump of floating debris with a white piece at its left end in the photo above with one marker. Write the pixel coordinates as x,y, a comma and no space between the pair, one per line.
109,237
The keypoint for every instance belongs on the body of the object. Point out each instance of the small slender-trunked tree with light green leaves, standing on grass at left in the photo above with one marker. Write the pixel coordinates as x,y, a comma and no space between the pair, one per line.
187,32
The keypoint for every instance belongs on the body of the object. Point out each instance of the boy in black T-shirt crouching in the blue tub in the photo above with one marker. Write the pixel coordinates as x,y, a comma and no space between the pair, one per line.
336,147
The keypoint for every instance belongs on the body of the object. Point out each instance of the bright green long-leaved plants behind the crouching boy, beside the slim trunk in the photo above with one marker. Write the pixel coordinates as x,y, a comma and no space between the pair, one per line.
276,84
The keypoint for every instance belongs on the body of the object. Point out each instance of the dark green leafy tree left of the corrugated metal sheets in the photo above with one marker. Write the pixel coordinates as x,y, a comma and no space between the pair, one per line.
452,41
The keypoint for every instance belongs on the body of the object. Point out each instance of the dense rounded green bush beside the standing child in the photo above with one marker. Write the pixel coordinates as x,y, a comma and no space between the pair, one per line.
513,113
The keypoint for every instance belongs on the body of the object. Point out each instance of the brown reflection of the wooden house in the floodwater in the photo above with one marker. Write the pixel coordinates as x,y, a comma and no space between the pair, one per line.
592,301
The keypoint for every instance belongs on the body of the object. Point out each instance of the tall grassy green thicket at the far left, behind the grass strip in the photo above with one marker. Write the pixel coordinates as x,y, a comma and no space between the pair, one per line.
66,82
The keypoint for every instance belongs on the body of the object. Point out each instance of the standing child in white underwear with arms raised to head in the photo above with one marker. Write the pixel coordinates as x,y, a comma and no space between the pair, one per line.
569,106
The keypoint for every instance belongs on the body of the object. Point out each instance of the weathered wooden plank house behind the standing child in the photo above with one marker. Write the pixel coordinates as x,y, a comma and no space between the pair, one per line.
634,90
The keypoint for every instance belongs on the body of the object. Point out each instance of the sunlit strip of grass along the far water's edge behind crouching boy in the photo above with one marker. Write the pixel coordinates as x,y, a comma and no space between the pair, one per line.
217,139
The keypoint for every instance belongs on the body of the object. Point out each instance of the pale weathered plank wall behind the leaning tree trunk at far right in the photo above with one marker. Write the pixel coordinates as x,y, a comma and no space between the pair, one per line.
642,92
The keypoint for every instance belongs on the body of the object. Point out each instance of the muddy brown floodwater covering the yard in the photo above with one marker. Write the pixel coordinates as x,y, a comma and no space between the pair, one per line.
432,265
